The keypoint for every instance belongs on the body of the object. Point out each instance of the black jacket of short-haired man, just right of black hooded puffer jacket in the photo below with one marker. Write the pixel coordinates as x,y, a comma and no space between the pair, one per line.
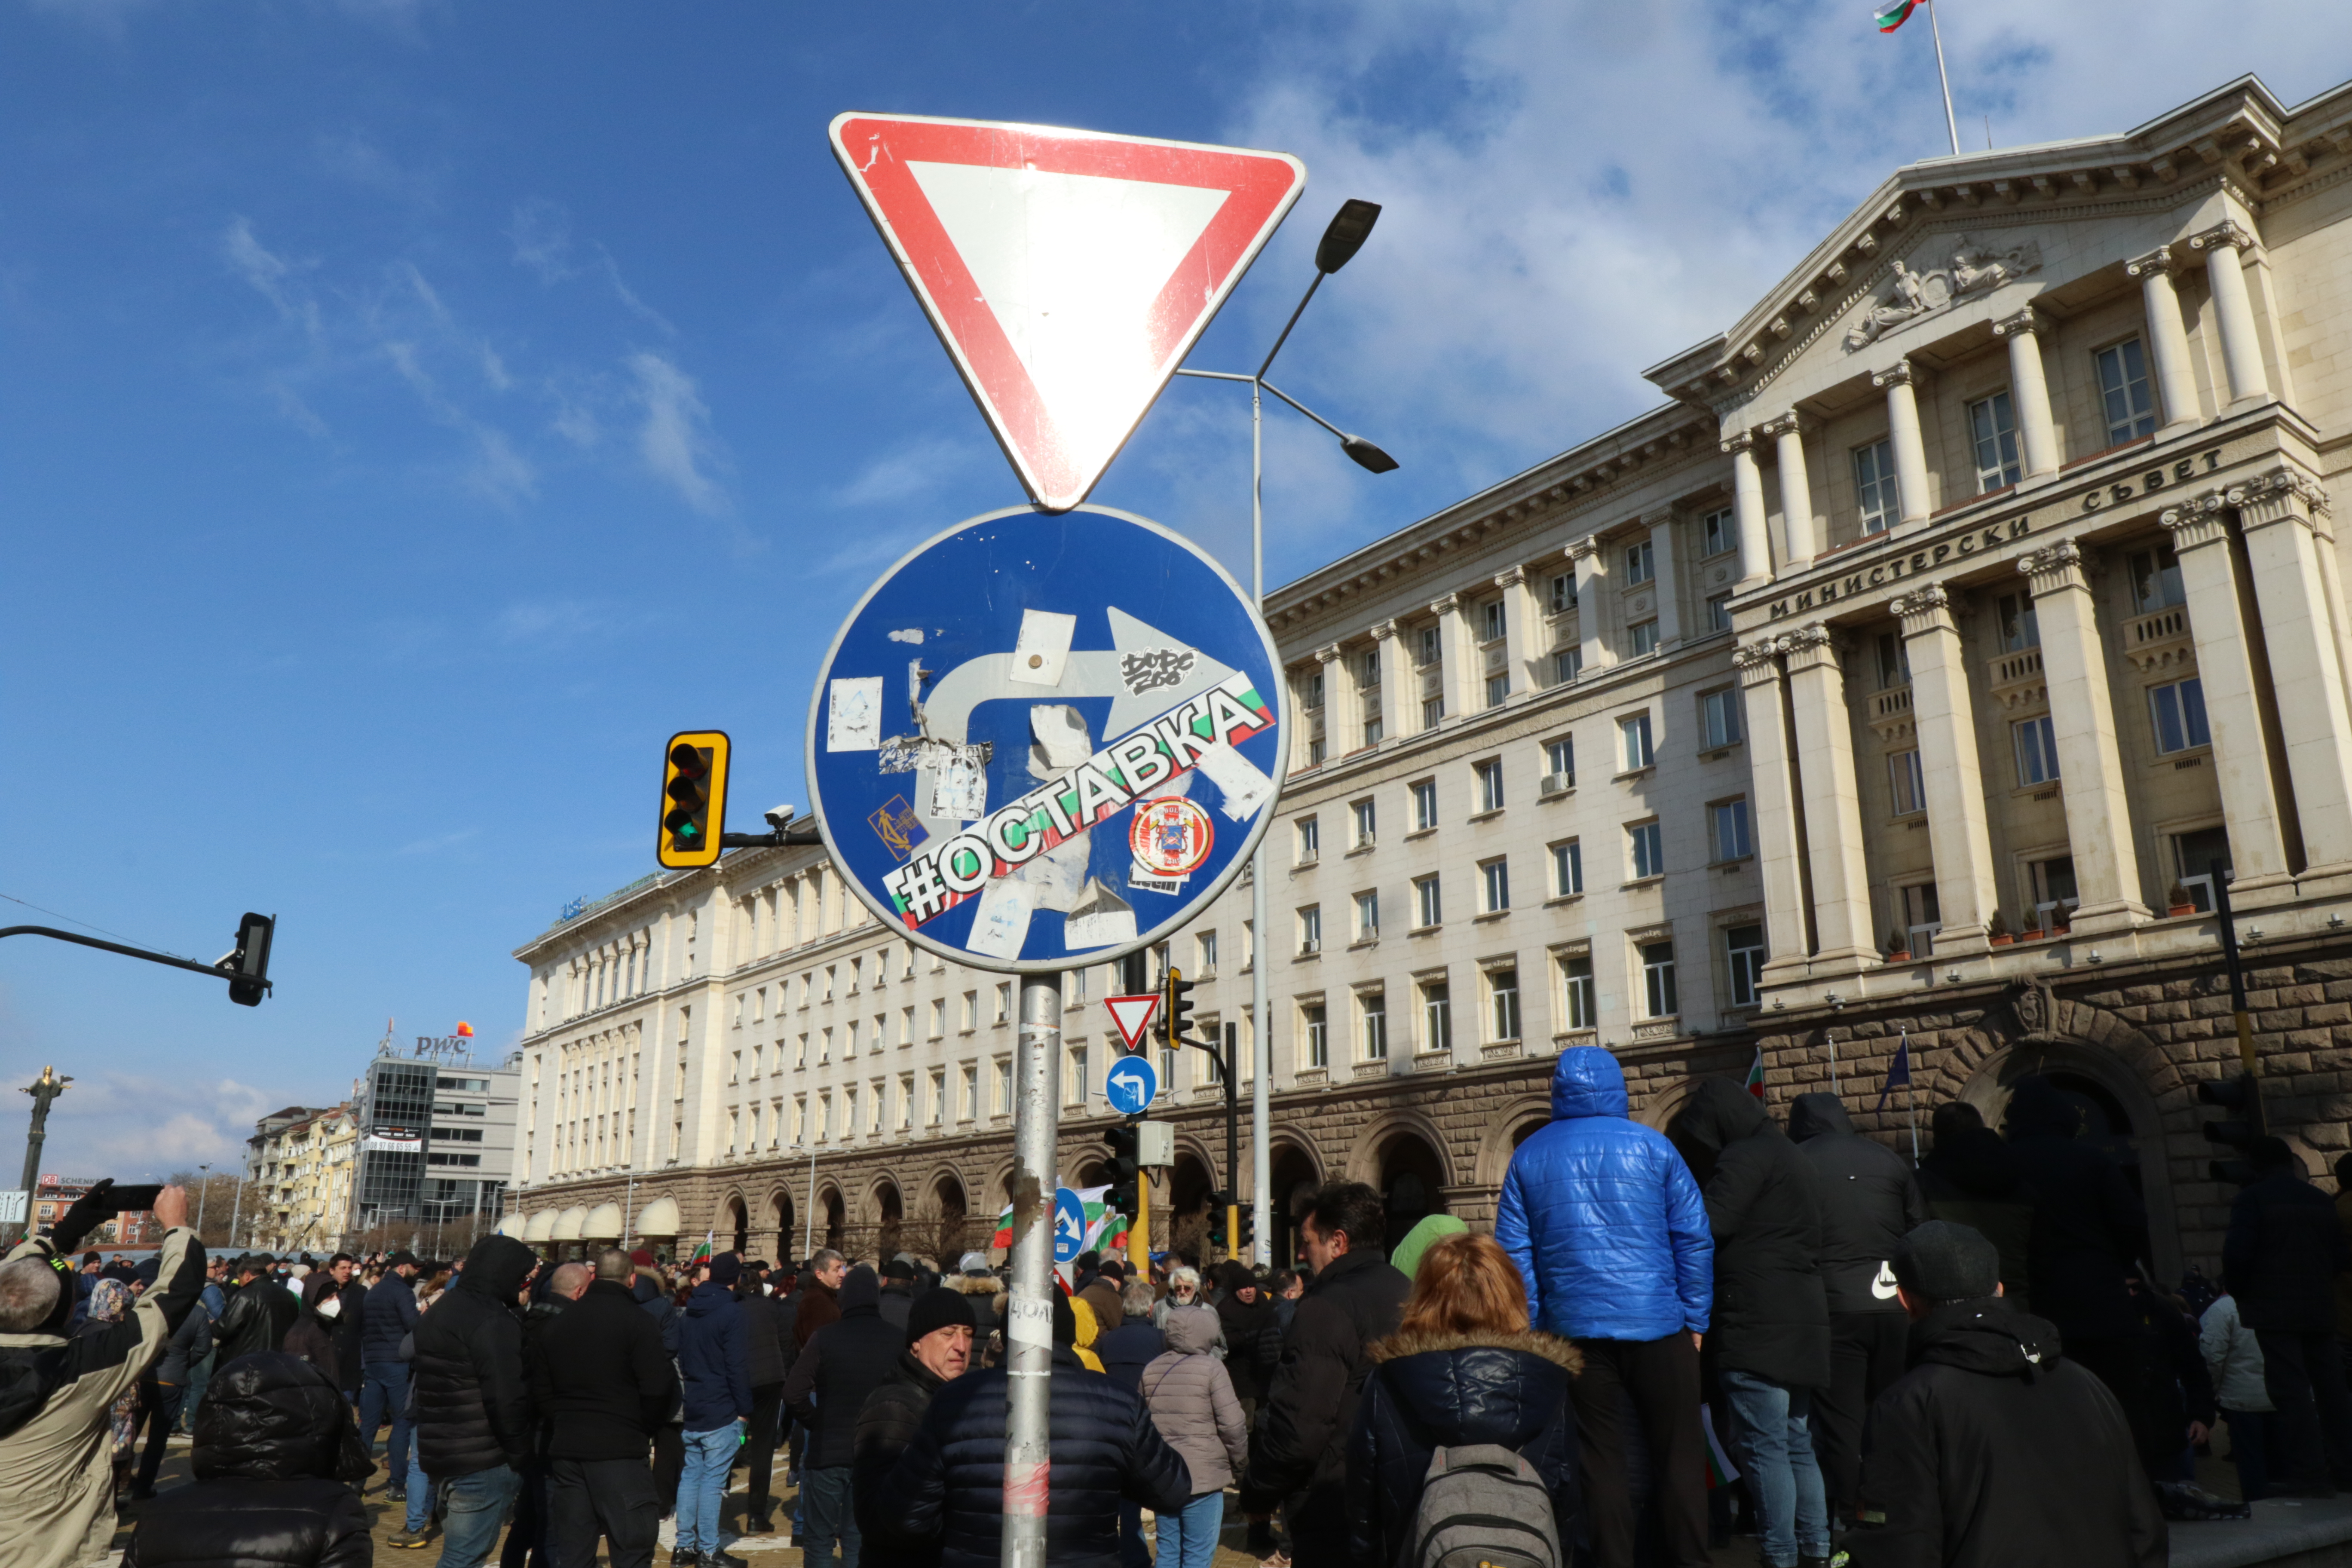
601,1379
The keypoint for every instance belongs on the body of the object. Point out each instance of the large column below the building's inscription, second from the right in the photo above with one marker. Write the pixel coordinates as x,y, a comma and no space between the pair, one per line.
2250,796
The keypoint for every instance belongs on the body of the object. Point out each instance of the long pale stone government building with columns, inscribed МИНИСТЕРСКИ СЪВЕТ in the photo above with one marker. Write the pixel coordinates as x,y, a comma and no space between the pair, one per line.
1904,676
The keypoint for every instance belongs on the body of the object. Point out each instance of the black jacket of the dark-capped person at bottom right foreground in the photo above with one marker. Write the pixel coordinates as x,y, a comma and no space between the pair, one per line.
1996,1452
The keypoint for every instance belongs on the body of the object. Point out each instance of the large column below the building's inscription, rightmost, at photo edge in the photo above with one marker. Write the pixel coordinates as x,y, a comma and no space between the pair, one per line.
2278,521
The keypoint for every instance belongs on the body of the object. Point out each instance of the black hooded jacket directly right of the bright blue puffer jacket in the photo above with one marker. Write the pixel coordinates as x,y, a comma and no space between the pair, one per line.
1772,1313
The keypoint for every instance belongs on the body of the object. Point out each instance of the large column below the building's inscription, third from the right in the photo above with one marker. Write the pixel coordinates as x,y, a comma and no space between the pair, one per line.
2090,765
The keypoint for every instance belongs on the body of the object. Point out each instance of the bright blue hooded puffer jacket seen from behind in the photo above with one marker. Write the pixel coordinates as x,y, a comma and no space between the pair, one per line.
1603,1217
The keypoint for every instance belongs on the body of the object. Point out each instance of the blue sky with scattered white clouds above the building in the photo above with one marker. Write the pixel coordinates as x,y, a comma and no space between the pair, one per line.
413,413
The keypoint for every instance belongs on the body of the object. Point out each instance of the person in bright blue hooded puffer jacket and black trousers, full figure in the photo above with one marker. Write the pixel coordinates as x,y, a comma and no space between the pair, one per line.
1612,1240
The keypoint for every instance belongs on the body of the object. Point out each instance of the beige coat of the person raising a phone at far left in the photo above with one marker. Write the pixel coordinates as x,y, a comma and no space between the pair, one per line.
58,1485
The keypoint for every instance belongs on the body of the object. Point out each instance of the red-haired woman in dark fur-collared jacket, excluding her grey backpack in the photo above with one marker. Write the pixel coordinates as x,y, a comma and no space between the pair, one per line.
1462,1369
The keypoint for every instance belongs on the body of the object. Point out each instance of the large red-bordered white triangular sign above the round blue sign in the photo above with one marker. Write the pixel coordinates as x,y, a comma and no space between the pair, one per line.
1067,272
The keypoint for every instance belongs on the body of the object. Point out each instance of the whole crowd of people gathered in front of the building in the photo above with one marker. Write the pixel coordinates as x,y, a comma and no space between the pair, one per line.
1735,1325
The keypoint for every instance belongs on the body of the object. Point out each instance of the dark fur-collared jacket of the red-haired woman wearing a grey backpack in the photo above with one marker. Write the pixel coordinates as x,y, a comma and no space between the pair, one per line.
1441,1391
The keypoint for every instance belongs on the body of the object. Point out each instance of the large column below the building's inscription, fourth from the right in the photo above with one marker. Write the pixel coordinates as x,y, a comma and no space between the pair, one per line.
1944,718
